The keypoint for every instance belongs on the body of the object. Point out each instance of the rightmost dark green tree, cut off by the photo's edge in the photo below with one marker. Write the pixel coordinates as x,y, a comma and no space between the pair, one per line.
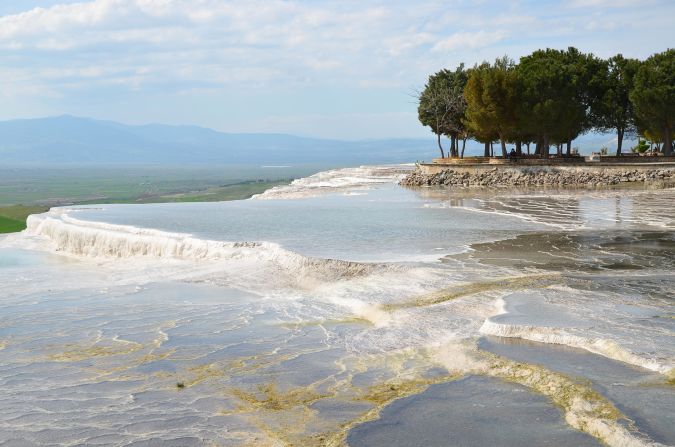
653,96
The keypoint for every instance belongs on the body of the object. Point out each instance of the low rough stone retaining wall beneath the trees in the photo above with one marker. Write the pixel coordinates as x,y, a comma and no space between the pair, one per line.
507,177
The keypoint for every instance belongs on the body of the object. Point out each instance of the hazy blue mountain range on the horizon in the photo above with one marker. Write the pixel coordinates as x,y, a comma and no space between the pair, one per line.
69,139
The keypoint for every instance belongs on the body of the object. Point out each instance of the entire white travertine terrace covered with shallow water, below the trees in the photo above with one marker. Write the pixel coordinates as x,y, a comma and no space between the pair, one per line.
344,309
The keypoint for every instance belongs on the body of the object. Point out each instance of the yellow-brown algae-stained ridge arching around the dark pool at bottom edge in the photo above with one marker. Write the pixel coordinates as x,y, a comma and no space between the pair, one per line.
289,417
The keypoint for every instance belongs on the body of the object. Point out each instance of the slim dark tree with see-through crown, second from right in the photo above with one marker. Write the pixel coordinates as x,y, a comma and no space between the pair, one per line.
613,109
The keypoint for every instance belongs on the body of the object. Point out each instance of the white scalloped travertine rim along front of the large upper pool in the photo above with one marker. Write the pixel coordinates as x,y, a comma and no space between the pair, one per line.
101,240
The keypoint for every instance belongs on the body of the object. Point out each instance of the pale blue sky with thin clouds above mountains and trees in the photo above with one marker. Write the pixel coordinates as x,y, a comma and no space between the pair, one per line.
333,69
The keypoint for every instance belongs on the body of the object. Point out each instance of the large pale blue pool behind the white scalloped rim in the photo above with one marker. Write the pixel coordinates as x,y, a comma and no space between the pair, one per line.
388,224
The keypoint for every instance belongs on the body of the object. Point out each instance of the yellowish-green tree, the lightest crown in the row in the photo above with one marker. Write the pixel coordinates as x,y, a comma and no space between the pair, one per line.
490,95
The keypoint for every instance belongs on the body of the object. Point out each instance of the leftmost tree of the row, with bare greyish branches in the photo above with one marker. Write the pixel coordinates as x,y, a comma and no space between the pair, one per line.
442,105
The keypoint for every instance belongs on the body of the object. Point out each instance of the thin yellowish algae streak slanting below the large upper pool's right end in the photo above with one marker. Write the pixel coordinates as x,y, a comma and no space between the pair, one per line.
452,293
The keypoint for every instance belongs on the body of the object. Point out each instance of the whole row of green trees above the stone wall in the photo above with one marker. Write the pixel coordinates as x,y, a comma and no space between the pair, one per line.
549,98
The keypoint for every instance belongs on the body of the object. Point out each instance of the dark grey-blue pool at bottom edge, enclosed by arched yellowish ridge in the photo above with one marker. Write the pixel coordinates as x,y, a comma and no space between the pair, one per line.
470,412
